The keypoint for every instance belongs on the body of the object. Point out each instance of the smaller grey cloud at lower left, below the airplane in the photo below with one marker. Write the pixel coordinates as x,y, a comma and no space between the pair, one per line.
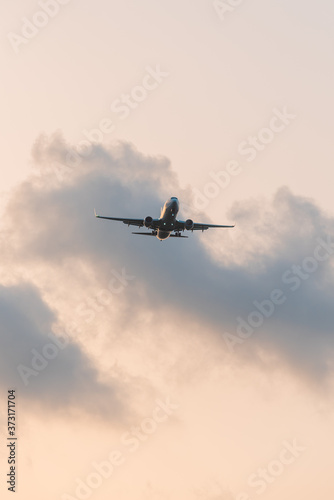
49,370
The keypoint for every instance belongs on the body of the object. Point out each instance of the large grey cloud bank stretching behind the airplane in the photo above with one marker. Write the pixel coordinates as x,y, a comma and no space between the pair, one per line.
53,222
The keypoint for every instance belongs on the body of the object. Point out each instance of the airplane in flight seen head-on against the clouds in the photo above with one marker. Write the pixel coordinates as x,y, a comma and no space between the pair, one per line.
167,224
